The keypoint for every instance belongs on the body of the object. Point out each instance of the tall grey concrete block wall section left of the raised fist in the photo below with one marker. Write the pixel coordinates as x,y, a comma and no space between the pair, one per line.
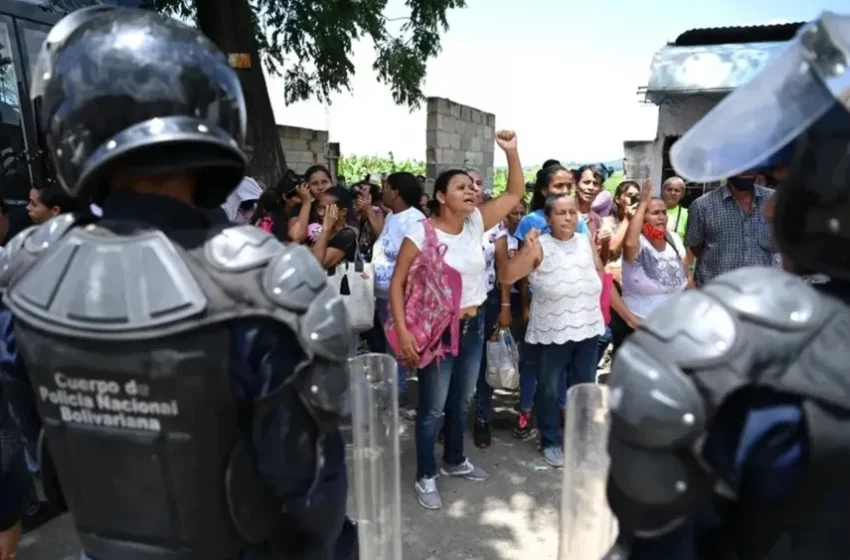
458,135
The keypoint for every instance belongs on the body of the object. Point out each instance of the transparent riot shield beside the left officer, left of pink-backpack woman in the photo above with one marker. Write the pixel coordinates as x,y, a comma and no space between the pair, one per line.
377,476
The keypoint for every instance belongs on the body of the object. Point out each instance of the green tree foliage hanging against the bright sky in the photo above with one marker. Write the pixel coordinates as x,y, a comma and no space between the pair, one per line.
310,42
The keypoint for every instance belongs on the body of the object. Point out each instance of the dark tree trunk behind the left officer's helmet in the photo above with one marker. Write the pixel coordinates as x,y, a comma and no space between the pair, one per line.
228,23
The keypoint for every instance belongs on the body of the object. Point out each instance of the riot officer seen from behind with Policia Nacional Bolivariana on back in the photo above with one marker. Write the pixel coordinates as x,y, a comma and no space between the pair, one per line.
187,380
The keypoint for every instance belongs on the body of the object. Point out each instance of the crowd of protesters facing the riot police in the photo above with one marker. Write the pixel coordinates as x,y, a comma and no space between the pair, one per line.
571,269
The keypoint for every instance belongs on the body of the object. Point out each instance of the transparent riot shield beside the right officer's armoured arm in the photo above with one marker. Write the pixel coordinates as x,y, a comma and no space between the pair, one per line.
588,528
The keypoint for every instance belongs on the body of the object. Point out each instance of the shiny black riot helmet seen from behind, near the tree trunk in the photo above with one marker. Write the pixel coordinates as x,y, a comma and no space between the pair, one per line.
131,90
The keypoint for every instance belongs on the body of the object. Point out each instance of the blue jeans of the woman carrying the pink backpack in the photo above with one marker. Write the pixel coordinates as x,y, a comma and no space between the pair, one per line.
448,385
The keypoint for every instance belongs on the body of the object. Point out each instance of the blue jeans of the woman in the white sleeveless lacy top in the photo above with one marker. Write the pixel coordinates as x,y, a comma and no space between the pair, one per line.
561,366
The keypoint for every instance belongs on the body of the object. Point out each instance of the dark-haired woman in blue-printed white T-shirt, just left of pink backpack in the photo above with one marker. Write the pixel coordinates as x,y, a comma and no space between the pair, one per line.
401,196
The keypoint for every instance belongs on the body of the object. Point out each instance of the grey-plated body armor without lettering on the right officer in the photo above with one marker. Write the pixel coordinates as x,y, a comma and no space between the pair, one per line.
751,328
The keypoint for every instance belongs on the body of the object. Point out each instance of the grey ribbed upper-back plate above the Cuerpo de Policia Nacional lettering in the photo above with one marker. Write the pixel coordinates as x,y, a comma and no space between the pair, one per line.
92,282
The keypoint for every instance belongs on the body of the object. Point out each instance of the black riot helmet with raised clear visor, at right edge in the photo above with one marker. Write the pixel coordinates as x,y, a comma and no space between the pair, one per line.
795,113
